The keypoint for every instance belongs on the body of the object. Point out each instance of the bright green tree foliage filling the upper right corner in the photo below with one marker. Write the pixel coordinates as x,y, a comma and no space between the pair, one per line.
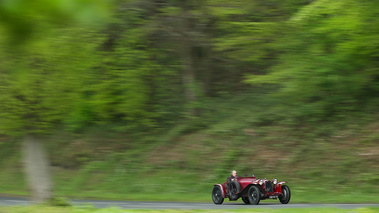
327,68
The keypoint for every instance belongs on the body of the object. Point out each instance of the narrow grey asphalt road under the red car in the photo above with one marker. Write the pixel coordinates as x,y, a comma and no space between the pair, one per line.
8,201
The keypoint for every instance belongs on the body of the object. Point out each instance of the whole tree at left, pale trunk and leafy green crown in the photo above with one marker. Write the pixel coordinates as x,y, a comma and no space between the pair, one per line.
42,55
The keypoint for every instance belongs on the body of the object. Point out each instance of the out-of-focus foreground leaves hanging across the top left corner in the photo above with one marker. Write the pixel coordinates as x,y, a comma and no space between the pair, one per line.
22,19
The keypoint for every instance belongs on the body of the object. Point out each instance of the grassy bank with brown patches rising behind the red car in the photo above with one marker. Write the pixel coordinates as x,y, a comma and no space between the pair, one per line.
329,162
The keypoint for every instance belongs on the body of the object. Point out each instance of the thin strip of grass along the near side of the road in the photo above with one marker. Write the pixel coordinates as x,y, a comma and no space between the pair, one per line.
89,209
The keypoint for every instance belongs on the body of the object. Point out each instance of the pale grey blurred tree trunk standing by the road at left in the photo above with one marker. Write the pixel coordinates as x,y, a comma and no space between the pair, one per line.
37,168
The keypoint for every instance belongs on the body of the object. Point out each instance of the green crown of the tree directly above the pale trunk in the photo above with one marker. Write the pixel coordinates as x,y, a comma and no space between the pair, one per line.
39,86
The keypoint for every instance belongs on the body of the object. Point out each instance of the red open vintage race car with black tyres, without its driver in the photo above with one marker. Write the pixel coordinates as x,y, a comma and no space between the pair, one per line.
252,190
